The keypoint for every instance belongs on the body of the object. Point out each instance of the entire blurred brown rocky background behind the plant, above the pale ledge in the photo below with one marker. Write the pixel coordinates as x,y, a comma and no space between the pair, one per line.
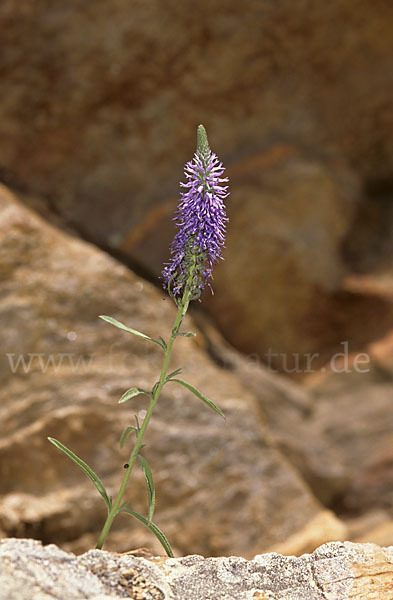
98,111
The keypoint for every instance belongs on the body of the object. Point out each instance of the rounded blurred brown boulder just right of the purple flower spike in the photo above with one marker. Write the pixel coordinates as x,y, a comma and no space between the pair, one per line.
283,265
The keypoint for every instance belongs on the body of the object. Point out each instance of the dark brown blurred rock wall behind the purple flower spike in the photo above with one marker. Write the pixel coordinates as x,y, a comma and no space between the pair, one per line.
97,118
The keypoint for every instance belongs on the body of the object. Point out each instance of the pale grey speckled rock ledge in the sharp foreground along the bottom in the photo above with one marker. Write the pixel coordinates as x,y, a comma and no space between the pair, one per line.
338,571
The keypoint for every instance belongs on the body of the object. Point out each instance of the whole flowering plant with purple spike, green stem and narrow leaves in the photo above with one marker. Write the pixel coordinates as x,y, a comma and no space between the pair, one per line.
197,246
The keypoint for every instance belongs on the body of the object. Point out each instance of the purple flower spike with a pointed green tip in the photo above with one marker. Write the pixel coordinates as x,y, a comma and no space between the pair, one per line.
201,219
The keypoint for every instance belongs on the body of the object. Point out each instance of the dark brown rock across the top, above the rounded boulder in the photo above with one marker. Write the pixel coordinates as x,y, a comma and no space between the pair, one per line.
102,86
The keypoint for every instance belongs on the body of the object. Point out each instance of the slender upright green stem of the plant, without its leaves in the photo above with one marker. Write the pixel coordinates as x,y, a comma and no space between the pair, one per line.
182,309
